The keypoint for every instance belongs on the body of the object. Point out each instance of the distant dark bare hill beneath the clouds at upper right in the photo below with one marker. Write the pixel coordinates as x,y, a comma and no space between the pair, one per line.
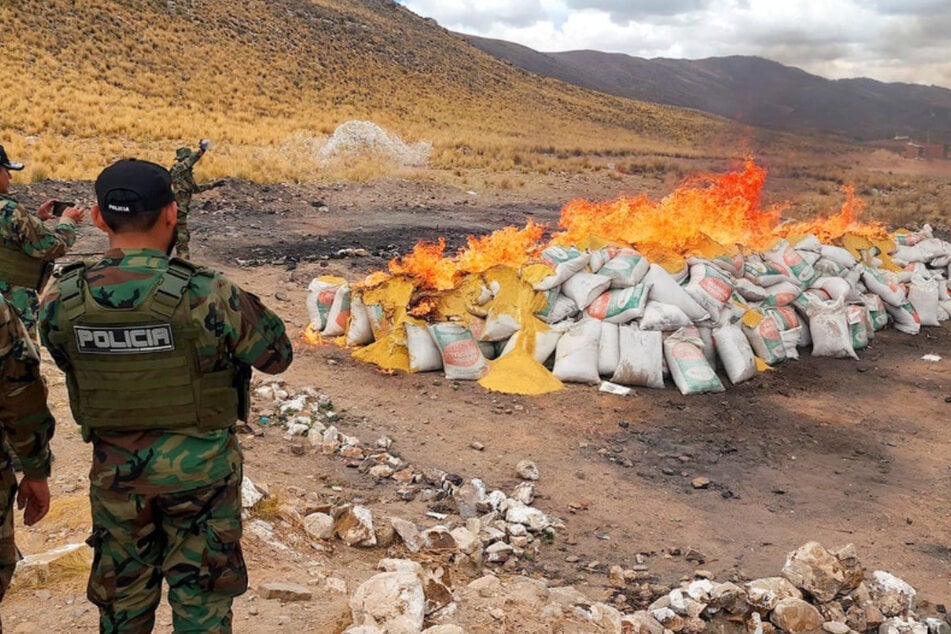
749,89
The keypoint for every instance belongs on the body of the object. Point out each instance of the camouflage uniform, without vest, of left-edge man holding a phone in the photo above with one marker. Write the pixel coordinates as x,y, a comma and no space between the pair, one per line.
24,231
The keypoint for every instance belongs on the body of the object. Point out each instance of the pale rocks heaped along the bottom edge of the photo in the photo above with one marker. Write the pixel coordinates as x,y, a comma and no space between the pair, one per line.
818,590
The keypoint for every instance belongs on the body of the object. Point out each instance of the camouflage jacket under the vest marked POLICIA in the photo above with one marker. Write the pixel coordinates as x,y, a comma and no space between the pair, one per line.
235,327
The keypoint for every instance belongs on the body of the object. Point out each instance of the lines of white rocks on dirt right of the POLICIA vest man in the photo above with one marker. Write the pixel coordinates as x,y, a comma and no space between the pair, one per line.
492,526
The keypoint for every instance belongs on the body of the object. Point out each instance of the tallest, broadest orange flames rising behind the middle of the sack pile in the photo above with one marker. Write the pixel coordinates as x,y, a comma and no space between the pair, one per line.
725,209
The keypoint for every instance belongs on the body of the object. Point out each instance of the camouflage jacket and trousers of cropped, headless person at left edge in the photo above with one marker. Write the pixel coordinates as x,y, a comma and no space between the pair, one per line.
27,425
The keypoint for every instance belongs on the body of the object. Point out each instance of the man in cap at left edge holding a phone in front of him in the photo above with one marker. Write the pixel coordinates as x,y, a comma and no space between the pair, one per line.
27,246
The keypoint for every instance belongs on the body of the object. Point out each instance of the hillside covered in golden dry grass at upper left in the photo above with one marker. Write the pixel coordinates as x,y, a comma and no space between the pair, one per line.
86,81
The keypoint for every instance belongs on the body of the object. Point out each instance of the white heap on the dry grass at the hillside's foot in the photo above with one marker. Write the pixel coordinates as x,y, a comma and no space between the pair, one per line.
364,139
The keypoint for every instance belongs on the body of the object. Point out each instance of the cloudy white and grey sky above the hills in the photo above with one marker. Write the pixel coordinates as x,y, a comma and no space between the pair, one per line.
888,40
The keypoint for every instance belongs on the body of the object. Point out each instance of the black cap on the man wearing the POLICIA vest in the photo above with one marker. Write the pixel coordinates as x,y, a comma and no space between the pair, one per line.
132,186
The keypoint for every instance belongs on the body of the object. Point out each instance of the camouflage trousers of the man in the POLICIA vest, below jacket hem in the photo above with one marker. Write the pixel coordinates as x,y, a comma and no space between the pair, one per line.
191,539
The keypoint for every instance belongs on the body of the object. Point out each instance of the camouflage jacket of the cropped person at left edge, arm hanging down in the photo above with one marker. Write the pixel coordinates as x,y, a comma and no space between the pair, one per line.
26,421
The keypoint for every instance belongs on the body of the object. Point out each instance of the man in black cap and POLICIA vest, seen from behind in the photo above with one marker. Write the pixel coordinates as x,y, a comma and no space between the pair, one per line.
157,354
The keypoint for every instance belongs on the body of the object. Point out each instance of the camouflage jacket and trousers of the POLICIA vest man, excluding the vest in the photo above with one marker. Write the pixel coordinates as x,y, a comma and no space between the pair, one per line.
167,504
